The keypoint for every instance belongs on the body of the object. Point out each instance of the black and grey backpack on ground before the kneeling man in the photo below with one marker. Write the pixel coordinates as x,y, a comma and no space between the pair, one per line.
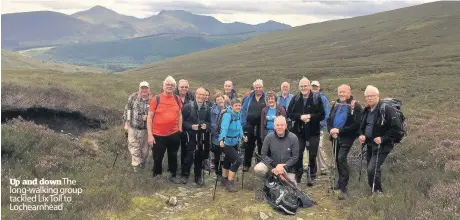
280,196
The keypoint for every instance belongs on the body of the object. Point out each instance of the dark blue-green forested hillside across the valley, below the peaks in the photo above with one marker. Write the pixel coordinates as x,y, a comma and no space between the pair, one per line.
124,54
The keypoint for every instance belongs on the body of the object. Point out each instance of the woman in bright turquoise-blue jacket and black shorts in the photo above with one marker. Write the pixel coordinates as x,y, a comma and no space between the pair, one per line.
231,132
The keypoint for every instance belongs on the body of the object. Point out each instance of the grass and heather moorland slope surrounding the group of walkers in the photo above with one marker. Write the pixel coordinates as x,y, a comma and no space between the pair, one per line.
421,176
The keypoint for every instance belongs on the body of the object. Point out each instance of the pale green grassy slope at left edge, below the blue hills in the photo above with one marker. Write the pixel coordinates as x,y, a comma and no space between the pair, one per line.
15,61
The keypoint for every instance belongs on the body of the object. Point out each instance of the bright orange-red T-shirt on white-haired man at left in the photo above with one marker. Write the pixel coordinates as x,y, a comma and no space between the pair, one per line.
166,117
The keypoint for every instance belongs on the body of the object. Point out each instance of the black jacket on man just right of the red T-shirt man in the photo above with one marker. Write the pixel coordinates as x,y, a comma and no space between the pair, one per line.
191,116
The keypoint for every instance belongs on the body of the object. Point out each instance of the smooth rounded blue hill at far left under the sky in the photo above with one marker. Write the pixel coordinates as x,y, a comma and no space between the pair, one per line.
46,28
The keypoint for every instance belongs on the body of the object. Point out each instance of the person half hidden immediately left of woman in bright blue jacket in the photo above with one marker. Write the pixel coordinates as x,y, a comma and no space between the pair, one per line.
216,109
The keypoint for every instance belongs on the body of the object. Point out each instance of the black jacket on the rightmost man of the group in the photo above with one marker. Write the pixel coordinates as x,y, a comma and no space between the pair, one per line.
387,131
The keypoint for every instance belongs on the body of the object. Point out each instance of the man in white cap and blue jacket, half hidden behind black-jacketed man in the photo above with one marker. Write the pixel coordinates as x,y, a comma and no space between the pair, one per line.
321,162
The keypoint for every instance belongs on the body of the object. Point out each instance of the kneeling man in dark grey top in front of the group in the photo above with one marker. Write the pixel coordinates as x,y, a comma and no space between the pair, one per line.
281,150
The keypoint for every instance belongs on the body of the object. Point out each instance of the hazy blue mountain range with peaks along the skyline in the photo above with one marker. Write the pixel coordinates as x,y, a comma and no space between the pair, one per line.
25,30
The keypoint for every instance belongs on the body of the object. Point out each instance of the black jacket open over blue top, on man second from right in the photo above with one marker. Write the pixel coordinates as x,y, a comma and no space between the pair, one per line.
349,132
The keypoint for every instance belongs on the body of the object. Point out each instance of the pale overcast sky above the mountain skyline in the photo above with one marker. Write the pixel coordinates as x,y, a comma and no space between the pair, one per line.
292,12
